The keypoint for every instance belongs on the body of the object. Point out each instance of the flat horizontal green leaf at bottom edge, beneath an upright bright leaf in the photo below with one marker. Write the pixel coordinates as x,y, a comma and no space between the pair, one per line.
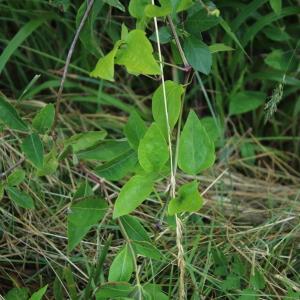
113,290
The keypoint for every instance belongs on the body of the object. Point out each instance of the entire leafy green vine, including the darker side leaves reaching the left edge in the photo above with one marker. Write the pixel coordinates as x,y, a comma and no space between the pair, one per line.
152,153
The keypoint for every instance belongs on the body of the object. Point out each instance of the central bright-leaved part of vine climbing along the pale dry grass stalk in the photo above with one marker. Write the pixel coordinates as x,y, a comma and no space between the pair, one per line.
168,143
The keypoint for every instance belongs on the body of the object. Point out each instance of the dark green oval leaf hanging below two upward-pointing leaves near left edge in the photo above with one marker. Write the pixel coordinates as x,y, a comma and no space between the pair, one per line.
33,149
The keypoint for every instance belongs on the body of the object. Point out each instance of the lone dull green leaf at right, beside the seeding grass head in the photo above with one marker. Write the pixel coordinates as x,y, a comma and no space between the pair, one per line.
245,101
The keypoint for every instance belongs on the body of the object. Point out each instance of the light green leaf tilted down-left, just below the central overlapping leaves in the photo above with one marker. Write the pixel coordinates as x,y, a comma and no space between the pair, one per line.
132,194
